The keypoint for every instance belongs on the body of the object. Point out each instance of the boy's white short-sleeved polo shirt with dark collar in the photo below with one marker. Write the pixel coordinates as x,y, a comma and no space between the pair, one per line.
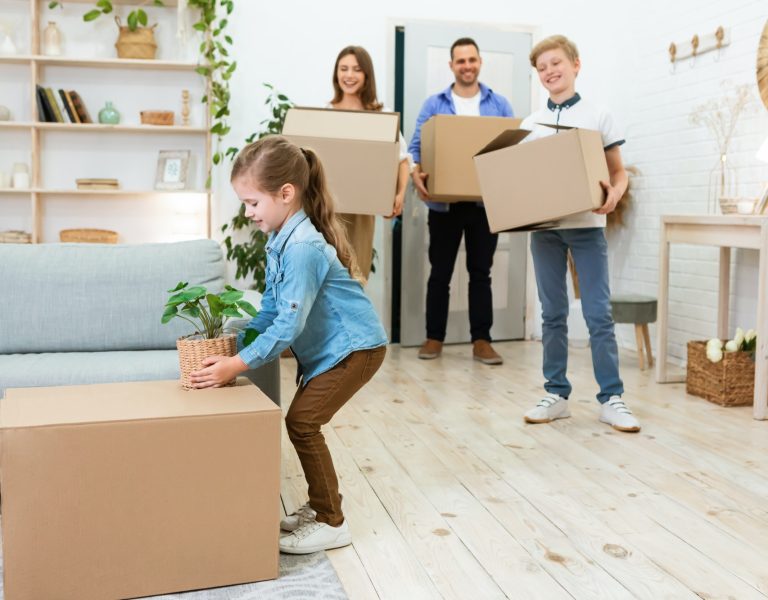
575,112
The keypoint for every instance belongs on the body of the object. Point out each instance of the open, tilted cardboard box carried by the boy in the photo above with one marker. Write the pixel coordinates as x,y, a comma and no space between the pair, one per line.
532,185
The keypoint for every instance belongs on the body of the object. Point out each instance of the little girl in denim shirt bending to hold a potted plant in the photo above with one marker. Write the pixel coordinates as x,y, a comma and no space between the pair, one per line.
313,304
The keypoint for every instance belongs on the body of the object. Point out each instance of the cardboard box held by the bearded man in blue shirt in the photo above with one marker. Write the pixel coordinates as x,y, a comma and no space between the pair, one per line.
448,144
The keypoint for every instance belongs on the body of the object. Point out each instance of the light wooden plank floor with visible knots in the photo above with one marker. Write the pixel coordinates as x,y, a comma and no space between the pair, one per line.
449,494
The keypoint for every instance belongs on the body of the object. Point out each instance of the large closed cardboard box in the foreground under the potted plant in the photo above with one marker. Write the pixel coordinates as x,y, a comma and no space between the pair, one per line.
136,489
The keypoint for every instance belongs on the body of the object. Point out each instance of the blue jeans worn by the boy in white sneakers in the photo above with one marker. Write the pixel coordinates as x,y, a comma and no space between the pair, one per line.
590,253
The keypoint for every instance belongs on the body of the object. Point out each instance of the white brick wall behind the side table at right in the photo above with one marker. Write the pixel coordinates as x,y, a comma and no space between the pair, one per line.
675,159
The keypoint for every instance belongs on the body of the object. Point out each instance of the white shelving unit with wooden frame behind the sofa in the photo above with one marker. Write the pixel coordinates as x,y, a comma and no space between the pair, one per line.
101,138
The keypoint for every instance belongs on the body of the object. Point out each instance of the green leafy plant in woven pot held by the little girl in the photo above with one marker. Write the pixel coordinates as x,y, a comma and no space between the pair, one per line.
208,313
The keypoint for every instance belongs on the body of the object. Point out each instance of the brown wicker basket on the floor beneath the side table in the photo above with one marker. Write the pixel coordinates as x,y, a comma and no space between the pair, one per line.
730,382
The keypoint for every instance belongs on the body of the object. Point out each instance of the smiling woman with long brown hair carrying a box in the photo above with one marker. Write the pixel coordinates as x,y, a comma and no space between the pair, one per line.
354,88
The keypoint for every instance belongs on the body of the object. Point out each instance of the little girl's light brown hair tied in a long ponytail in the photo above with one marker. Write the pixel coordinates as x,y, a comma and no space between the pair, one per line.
272,162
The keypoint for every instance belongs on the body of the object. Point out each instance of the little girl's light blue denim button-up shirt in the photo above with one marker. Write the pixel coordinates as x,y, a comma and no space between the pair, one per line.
310,303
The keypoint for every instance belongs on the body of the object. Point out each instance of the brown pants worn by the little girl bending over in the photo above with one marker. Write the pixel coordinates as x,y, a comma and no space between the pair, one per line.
313,406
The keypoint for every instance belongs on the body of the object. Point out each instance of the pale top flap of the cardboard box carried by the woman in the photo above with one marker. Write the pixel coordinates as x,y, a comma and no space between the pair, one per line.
365,125
